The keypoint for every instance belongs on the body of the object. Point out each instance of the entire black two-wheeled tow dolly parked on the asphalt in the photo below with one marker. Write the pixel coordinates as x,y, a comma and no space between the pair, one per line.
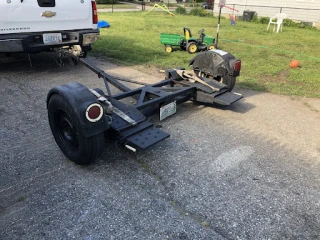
81,118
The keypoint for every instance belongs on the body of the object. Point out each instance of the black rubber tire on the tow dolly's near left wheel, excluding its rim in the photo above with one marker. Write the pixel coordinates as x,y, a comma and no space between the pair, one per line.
90,148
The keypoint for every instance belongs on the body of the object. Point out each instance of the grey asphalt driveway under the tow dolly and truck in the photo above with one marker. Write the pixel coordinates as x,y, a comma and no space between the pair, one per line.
248,171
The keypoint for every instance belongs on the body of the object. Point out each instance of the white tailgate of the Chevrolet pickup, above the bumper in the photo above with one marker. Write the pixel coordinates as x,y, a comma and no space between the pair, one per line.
17,16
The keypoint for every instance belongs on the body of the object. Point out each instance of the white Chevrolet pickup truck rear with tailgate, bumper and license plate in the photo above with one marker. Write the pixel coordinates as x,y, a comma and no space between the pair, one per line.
33,26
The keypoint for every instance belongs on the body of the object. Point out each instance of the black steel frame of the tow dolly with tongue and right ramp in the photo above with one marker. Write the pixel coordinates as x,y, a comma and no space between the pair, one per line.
162,95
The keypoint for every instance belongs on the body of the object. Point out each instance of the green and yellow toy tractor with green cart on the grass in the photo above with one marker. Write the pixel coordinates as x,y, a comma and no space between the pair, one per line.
187,42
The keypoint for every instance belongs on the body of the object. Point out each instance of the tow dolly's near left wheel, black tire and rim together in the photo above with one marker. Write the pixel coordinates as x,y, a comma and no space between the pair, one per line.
66,130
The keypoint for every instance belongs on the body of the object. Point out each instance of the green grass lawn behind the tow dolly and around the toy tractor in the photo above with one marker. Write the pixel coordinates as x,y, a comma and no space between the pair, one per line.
133,39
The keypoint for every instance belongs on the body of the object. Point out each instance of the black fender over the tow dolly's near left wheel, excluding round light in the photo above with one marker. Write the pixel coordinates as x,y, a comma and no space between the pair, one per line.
80,97
